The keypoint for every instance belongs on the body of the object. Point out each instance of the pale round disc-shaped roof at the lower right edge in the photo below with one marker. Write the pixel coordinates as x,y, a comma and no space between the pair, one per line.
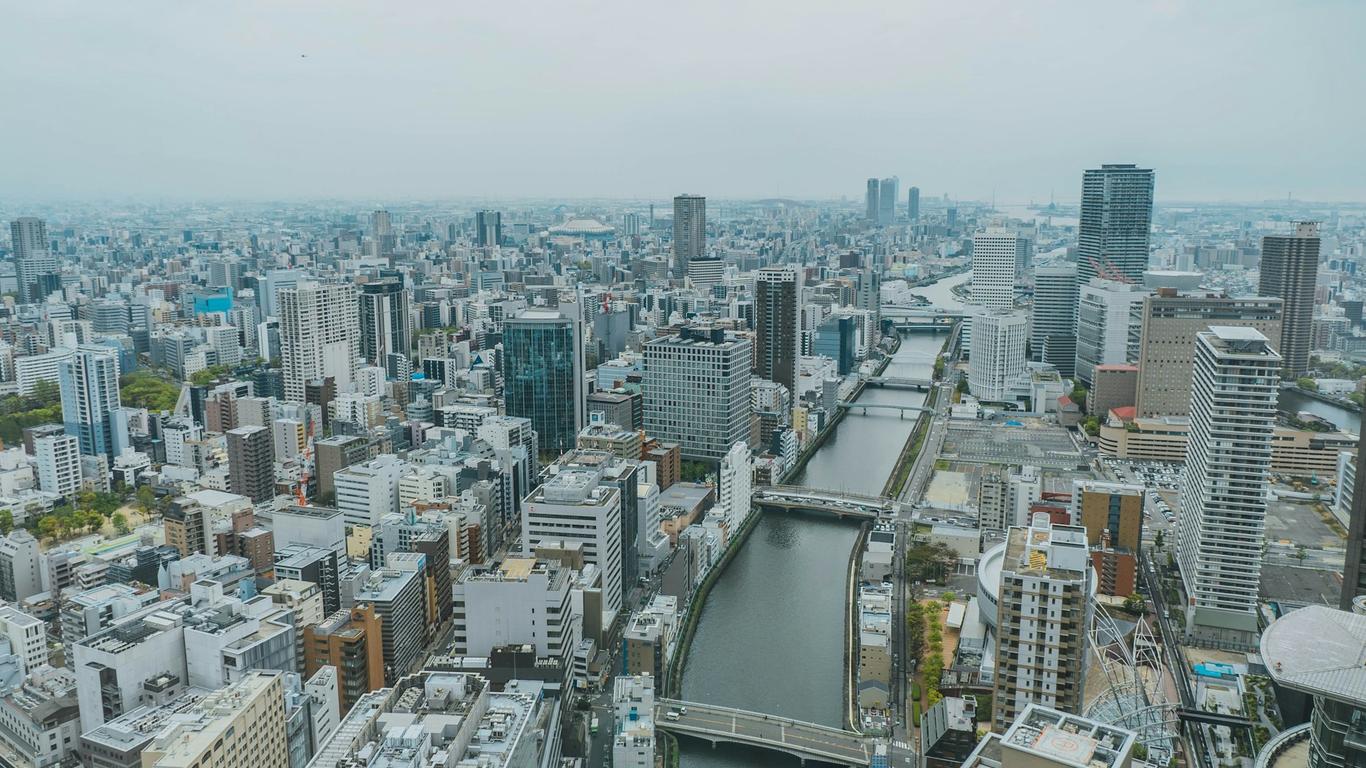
1319,651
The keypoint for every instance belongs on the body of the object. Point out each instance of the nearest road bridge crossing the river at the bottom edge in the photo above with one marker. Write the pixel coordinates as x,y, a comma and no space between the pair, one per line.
805,741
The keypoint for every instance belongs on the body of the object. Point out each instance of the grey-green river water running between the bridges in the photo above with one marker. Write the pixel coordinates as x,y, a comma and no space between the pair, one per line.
771,637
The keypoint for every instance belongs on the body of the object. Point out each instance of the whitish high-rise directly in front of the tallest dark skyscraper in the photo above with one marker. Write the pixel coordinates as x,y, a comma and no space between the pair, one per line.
1107,325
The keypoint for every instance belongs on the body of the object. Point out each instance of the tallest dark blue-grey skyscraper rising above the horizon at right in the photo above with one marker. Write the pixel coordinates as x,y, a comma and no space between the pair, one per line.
1115,225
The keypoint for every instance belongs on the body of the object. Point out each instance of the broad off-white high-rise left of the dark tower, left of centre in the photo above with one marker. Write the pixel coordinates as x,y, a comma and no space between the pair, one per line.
319,335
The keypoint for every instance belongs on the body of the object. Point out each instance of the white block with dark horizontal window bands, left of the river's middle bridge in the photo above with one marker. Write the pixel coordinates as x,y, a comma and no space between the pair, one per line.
579,506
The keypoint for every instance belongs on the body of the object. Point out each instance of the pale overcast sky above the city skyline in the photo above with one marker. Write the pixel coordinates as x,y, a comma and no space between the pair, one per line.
394,102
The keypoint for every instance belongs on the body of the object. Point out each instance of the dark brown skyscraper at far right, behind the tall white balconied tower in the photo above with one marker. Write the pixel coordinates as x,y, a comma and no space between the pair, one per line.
1290,267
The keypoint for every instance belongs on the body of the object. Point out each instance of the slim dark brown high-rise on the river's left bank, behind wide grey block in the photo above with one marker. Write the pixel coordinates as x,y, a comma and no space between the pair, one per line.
778,325
